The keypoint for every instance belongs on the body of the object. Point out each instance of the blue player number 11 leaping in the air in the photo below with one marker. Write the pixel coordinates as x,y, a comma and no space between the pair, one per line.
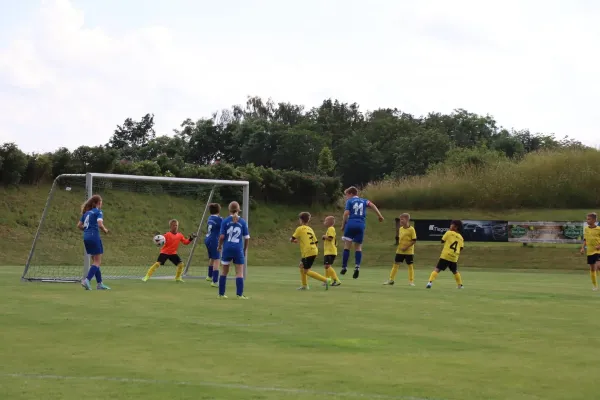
353,227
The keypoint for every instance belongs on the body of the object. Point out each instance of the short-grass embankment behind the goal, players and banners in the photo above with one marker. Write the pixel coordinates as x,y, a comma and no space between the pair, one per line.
134,217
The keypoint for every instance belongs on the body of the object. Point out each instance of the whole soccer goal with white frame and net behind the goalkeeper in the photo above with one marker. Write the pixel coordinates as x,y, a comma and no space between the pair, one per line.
135,209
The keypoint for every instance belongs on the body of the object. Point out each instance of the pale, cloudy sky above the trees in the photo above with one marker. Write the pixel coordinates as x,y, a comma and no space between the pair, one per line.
70,71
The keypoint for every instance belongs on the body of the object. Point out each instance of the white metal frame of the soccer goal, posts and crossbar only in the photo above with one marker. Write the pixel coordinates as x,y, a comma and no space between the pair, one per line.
89,190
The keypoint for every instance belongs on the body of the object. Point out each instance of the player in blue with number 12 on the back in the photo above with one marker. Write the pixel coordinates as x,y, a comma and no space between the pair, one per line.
233,241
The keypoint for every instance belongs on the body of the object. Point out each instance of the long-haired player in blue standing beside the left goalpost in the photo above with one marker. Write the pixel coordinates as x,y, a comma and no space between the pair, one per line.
91,222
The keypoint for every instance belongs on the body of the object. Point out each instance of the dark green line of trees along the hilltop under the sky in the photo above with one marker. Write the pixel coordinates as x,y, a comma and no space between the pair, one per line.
331,145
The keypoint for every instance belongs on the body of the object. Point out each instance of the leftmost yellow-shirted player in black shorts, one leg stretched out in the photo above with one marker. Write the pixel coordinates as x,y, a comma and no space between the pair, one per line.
306,238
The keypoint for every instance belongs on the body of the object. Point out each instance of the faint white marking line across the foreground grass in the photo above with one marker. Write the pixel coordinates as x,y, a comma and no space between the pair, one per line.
214,385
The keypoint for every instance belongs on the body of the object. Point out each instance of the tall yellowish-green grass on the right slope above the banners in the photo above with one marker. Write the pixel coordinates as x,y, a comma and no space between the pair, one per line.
557,179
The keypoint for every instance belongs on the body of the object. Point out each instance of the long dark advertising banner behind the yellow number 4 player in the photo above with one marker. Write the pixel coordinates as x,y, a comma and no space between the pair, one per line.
473,230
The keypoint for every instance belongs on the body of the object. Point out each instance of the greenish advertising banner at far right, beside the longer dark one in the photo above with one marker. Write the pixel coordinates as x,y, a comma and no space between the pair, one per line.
545,232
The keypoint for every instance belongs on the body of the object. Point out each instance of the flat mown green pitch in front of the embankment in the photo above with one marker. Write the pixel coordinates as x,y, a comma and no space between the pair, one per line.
505,336
